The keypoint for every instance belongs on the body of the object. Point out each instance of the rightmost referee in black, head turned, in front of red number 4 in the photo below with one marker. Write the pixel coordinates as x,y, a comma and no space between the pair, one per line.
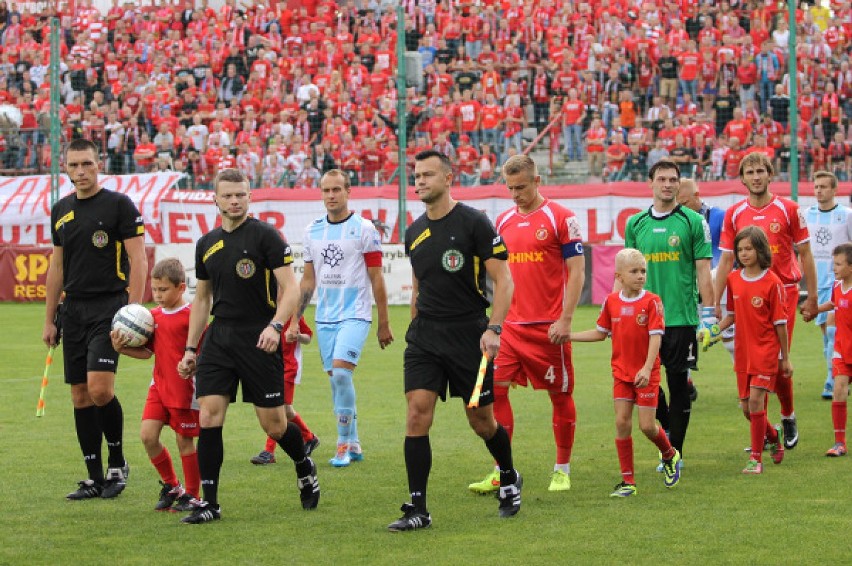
451,247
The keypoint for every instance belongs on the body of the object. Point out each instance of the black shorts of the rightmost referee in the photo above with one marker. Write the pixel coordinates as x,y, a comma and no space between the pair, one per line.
445,353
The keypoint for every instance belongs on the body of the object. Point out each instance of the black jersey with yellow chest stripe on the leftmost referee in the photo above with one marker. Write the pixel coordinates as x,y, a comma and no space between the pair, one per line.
91,233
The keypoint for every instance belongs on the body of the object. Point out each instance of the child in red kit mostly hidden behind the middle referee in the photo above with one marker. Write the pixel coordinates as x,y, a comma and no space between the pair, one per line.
292,354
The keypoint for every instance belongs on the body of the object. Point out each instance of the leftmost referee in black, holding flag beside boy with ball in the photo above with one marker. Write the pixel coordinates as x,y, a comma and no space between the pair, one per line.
98,254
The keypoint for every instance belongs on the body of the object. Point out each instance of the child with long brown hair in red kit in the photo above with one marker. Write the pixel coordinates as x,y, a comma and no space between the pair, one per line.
757,303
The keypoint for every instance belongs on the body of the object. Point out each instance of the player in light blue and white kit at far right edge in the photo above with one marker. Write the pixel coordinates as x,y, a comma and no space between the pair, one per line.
830,224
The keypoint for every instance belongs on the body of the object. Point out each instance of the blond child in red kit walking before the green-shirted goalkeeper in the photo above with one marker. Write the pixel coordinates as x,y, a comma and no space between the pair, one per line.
633,317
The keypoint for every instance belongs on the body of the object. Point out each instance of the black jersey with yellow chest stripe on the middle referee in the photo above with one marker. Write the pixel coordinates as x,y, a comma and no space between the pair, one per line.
239,265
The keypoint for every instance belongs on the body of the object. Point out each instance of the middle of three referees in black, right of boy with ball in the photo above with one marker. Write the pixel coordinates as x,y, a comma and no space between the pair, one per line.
246,280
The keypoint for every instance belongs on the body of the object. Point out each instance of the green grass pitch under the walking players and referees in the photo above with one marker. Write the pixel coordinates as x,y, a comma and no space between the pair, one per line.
789,515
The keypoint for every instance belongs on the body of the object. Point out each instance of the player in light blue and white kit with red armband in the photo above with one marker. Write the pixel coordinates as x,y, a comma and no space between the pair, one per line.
343,263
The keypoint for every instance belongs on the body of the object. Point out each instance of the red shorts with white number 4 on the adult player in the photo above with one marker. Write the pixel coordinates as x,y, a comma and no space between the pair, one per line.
527,356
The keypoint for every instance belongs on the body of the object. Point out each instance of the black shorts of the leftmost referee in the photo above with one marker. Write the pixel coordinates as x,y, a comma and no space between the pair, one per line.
85,336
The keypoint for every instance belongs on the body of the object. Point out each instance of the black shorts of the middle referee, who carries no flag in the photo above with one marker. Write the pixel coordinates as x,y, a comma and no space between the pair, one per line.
230,356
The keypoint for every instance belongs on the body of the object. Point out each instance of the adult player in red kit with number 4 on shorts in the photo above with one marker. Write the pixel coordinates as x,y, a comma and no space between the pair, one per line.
546,261
